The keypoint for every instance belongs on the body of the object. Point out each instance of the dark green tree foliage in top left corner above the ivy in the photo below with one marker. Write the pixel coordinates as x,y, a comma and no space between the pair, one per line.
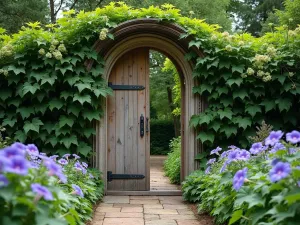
15,13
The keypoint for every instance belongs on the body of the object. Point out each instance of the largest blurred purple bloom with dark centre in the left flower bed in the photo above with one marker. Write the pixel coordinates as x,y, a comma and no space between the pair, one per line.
18,165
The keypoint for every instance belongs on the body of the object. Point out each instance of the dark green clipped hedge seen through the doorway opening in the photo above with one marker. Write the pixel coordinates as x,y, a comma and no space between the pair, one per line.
162,132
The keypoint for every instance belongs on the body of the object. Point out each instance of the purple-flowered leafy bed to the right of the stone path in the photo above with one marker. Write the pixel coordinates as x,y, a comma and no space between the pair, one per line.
259,186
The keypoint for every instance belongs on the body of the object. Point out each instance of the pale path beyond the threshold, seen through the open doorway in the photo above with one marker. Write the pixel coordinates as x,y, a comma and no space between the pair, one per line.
157,179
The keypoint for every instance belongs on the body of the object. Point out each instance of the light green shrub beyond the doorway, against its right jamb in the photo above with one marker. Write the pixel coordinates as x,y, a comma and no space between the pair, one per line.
173,163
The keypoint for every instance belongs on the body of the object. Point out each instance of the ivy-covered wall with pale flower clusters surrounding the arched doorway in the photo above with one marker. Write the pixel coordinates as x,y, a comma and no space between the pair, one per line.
48,97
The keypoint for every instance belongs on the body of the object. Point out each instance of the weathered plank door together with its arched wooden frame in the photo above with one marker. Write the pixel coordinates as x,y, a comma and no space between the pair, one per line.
119,145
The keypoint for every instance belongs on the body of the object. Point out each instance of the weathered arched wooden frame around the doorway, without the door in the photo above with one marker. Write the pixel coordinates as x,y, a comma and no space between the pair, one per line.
165,38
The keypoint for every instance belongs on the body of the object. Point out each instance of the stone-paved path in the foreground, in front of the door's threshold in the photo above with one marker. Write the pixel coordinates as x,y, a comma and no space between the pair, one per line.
144,210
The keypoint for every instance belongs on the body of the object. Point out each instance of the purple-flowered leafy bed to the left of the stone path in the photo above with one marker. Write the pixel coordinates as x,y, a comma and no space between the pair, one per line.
42,190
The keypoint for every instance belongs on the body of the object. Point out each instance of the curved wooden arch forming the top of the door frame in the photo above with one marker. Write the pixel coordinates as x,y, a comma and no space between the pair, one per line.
149,33
